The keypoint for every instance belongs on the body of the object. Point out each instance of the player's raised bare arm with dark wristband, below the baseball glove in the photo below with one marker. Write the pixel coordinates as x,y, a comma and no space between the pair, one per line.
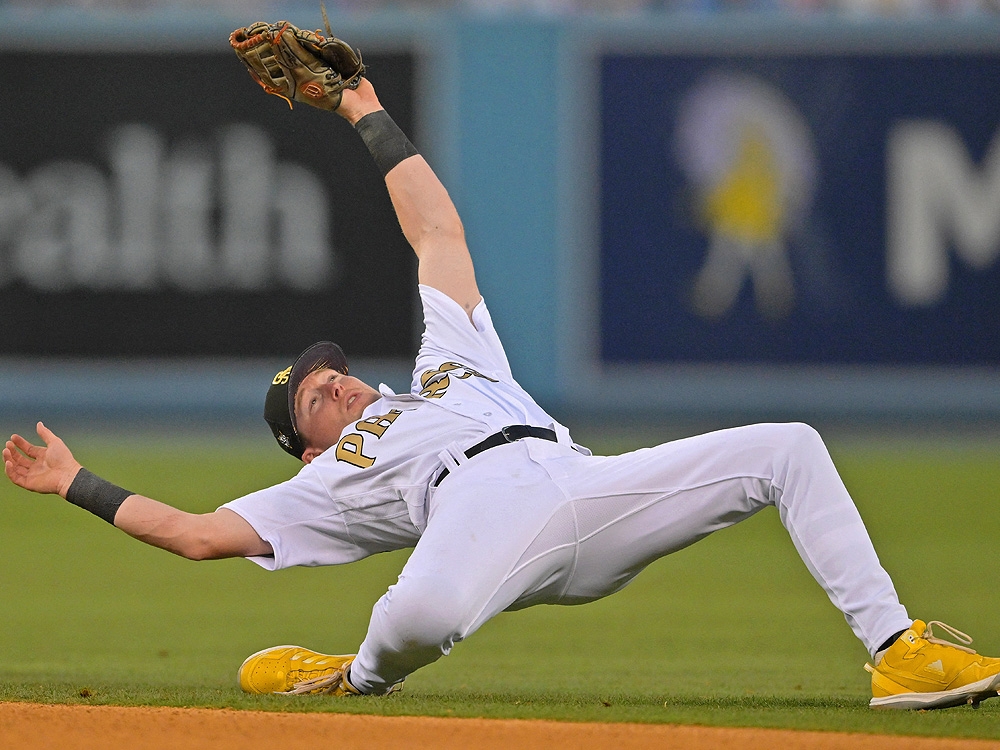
425,211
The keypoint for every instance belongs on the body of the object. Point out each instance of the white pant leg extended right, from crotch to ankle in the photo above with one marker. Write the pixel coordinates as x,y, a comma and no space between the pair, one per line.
635,508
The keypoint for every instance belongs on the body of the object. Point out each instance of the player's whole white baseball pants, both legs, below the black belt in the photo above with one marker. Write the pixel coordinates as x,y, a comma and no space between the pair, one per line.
535,522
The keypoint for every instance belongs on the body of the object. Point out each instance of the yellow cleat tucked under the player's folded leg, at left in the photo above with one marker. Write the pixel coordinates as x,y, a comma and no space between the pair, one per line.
292,670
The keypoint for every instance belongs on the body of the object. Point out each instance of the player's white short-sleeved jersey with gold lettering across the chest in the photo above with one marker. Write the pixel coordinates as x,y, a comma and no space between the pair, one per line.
369,493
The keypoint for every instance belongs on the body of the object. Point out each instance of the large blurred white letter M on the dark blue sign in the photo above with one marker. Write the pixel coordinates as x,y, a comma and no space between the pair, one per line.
937,198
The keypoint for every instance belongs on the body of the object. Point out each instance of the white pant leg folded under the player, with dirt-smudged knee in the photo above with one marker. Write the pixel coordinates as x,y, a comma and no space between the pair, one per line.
469,564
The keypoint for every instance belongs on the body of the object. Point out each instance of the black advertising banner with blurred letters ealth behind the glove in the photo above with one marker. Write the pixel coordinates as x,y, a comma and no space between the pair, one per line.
160,204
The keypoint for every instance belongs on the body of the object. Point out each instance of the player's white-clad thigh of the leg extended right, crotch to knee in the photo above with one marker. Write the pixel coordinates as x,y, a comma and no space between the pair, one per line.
637,507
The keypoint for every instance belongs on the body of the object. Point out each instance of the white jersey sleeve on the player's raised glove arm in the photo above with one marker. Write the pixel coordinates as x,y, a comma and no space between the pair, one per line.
450,335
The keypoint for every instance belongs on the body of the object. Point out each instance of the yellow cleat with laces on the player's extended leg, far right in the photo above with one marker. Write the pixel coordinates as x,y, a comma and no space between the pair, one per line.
920,671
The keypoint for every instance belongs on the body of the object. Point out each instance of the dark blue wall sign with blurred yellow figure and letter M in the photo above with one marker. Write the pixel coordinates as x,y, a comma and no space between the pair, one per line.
800,209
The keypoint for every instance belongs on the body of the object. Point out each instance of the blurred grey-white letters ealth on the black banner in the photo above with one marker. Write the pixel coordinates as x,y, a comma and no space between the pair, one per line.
219,213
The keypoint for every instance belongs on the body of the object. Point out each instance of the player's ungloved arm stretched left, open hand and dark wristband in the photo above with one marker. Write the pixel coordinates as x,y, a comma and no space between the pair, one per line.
52,469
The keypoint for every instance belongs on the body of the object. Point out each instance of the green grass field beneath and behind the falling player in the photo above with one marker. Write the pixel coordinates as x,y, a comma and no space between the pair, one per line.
731,631
